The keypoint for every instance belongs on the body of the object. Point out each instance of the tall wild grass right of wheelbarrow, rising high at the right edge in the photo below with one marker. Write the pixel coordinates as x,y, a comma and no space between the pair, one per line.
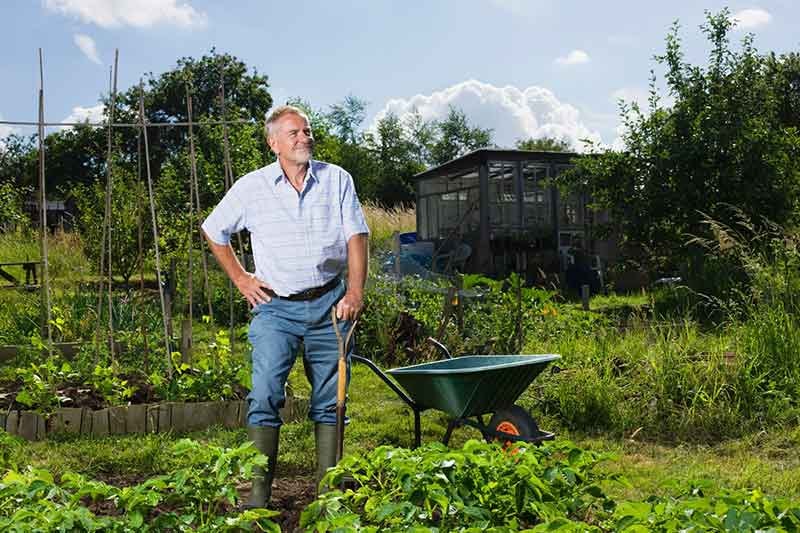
683,381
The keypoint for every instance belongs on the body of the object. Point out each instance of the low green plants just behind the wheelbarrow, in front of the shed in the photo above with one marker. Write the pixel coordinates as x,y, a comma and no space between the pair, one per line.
399,316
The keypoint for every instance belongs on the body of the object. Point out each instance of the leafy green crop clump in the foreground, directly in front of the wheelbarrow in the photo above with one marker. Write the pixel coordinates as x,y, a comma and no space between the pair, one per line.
480,486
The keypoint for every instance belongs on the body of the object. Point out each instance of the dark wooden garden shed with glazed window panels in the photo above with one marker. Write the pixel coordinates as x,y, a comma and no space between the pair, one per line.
499,209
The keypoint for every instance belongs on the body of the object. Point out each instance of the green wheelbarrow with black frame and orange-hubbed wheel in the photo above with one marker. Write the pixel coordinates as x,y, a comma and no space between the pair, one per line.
469,387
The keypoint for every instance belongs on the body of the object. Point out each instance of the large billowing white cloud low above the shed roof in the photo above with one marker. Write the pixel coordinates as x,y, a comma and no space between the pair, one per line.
511,113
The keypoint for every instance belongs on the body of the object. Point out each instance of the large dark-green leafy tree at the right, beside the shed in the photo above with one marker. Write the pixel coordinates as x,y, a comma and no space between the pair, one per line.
727,140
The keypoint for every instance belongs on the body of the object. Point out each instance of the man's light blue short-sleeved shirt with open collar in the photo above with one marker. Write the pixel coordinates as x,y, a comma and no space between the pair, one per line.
299,240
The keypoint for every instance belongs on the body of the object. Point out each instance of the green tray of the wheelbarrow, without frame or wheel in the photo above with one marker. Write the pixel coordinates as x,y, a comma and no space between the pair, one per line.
472,384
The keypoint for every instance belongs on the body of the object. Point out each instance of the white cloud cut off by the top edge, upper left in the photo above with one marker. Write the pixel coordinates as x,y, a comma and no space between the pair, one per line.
136,13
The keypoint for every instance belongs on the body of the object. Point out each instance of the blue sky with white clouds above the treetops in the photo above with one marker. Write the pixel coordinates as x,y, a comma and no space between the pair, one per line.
524,68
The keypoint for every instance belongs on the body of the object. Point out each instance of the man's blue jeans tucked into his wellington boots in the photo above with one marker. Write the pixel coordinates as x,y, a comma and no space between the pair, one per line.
275,332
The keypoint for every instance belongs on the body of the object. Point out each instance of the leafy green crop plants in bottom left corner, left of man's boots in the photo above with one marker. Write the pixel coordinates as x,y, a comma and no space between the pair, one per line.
200,494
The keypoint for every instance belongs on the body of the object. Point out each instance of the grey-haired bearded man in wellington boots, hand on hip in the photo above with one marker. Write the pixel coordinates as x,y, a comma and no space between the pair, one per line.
306,227
